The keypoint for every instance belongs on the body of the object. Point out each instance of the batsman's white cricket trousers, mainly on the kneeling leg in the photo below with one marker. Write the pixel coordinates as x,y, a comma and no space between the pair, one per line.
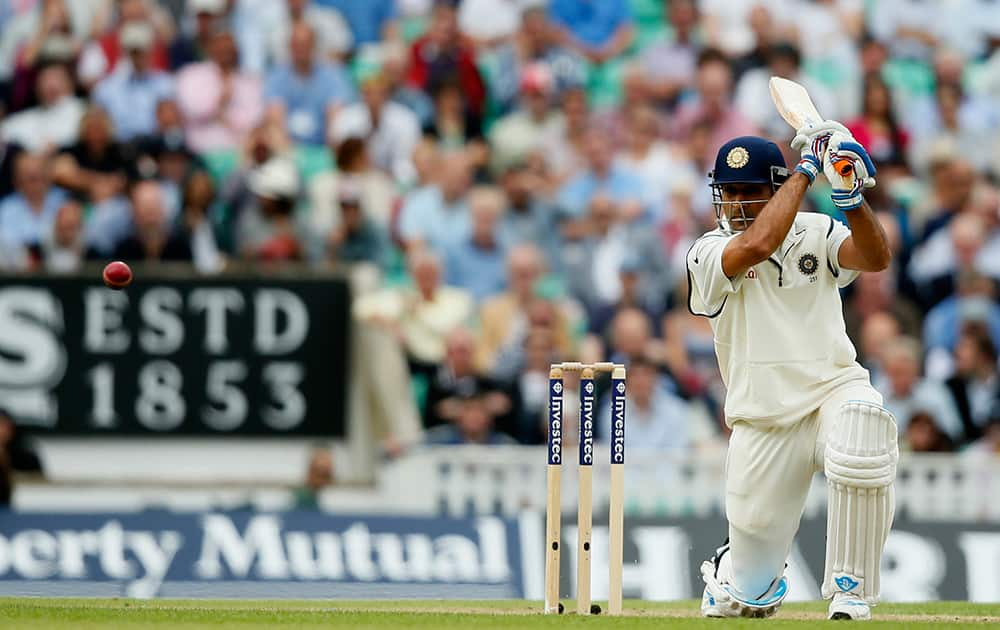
768,474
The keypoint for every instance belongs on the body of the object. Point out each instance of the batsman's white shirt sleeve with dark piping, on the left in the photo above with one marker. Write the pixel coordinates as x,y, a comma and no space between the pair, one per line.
708,286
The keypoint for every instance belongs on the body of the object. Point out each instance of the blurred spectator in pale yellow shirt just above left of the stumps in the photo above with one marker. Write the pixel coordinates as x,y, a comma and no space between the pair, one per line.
504,319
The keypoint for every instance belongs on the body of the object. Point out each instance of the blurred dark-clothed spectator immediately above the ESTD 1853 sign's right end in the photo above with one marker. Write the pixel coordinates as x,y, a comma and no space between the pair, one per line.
357,237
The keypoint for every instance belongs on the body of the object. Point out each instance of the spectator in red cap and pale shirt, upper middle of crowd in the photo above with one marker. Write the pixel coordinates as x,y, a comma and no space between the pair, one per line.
522,131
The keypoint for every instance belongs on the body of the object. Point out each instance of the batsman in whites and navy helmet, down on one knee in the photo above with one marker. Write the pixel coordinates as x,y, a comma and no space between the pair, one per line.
768,278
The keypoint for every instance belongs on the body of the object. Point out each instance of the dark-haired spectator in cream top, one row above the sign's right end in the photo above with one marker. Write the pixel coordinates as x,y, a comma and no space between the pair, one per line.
375,190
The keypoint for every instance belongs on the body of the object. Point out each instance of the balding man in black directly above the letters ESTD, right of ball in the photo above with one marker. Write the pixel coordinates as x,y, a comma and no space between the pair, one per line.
154,240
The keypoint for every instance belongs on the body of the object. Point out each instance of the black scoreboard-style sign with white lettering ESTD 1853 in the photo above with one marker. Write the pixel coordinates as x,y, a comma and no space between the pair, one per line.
247,355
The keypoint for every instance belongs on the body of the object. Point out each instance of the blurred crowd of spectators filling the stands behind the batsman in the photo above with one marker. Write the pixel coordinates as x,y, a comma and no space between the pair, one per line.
510,183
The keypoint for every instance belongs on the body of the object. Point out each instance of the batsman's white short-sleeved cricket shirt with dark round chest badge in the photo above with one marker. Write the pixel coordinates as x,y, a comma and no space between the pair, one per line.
779,328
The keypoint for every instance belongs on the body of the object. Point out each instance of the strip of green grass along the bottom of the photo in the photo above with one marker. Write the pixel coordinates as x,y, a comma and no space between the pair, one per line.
83,614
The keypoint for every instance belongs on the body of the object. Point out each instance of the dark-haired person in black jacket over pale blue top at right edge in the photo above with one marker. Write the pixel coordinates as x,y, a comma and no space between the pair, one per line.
975,386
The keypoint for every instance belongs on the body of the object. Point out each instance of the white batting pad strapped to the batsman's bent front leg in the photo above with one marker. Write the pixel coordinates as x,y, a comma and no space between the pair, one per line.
860,465
